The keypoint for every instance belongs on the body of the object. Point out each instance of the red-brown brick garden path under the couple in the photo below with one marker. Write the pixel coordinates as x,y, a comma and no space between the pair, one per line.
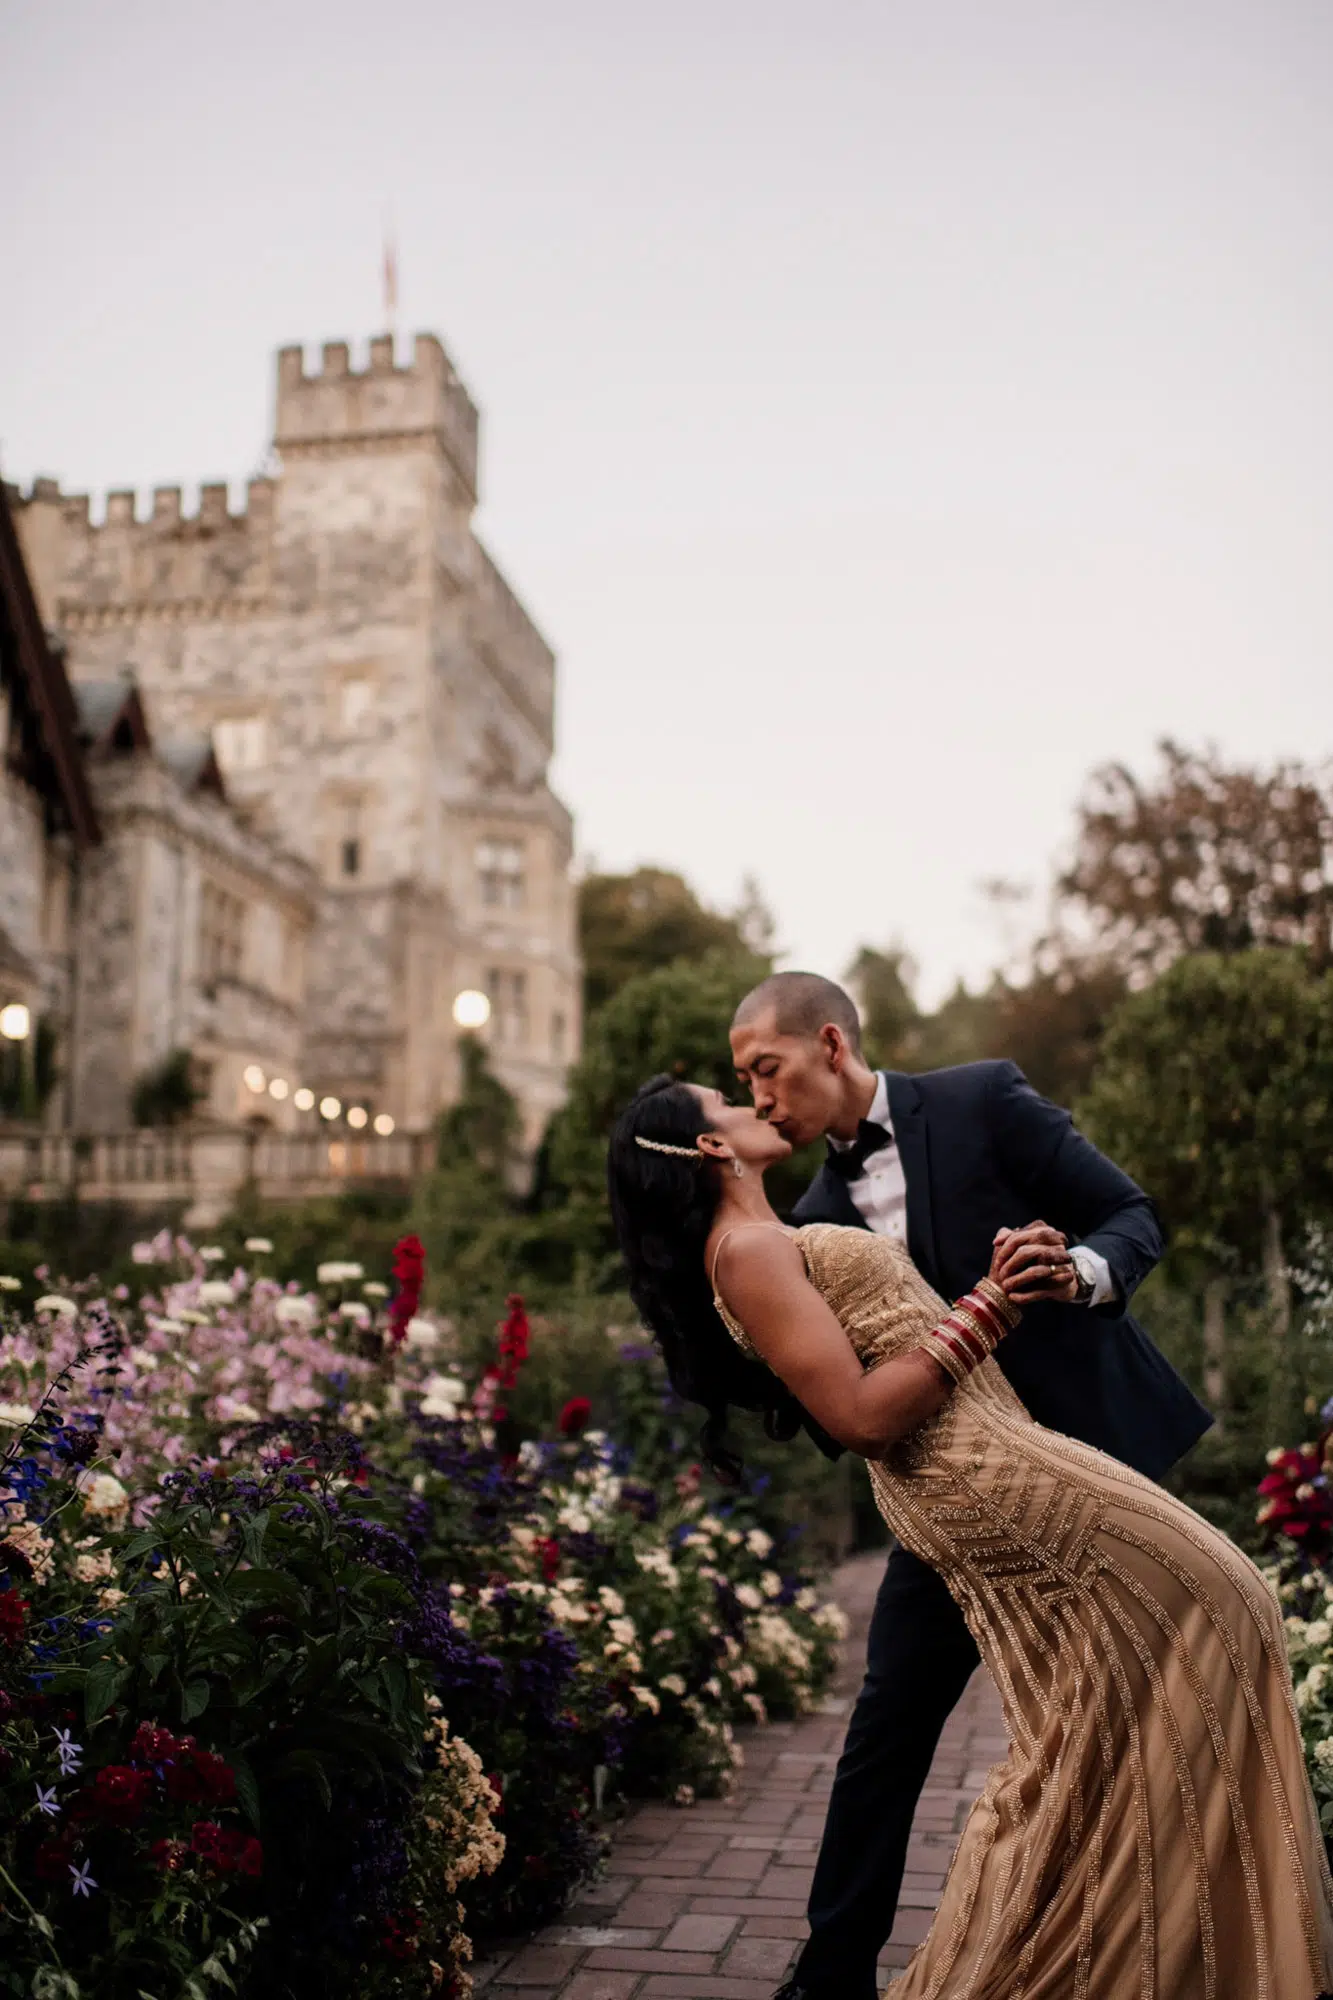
710,1903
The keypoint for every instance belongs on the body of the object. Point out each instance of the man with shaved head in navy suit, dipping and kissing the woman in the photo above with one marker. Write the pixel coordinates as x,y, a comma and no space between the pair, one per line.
948,1163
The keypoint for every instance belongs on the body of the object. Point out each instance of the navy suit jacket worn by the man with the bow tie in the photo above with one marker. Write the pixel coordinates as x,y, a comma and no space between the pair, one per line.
984,1151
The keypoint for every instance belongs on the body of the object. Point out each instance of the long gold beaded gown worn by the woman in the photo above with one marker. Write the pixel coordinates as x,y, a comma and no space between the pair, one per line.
1152,1833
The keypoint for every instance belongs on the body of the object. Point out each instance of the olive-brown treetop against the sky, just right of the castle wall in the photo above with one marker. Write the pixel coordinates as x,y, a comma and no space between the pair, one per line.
651,919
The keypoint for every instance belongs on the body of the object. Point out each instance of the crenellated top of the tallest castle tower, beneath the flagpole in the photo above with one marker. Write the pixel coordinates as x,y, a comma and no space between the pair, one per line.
341,409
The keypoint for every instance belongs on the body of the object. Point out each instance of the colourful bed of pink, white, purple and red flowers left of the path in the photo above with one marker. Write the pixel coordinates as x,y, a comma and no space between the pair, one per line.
309,1667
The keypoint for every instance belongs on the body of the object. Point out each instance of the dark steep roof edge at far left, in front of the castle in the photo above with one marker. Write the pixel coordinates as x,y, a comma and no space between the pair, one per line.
39,689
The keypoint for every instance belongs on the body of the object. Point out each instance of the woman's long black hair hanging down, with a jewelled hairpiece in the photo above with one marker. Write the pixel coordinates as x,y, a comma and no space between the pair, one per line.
663,1209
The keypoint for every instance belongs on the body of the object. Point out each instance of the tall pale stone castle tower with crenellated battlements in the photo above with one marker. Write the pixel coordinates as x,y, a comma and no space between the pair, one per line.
381,705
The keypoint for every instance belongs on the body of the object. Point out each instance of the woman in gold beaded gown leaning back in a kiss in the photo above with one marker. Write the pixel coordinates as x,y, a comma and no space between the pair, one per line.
1152,1835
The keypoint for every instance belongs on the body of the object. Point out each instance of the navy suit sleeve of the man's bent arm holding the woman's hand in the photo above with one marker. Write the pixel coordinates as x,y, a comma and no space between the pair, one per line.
1072,1185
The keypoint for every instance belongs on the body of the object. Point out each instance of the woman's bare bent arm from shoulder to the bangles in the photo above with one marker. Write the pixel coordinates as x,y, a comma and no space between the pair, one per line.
790,1323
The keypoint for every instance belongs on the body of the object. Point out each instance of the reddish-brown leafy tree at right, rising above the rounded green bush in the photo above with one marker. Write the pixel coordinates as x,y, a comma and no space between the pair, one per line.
1204,859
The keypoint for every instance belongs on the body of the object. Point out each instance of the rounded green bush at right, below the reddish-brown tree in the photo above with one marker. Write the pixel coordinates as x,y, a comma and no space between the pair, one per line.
1214,1093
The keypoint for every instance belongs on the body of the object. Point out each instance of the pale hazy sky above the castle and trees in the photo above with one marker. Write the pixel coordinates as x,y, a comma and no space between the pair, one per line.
890,411
